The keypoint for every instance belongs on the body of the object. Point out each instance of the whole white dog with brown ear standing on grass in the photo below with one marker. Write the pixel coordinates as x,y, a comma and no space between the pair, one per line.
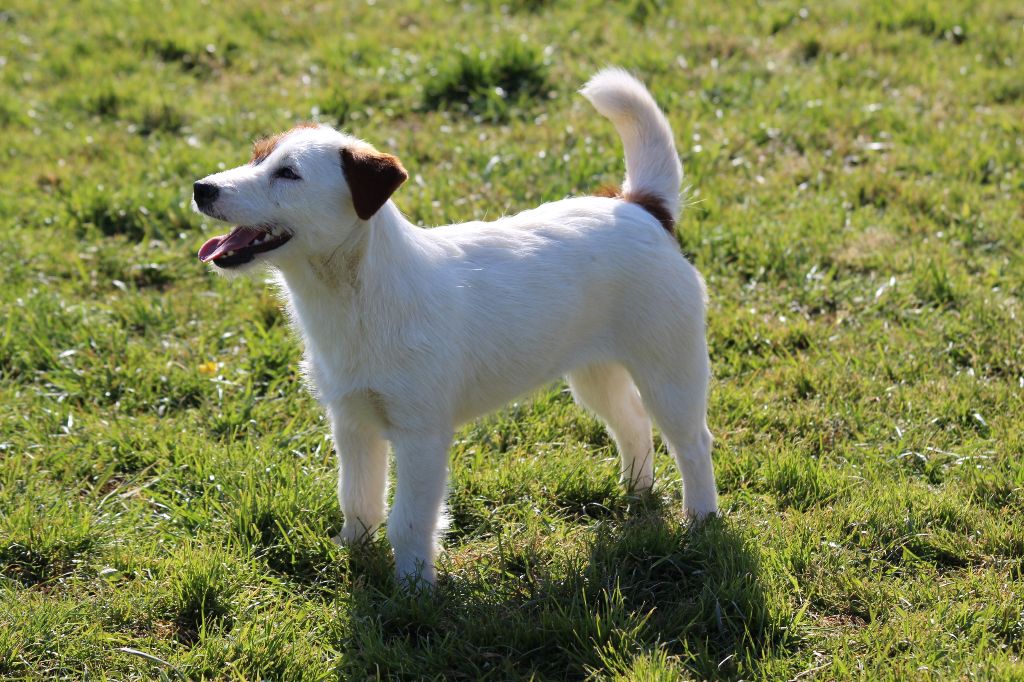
410,333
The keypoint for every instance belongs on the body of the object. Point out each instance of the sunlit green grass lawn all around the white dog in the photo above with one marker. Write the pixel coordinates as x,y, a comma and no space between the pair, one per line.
167,486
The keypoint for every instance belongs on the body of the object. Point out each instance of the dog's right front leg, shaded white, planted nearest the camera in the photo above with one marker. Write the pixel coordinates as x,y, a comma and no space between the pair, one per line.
421,468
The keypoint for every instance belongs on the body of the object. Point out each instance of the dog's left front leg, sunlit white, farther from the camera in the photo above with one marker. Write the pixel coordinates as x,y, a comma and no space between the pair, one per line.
362,479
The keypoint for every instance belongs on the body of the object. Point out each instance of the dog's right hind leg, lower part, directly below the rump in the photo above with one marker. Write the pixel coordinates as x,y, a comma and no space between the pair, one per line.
678,402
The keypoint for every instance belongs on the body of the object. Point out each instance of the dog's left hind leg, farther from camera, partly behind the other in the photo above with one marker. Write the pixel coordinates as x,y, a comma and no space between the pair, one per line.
609,392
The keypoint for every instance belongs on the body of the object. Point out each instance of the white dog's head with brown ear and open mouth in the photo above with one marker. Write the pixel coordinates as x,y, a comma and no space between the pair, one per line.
302,192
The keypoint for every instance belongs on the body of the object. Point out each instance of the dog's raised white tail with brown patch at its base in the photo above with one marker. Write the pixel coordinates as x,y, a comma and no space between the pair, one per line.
654,173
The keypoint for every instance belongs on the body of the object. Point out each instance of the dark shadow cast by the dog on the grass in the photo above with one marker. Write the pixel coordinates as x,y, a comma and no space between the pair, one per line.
645,590
